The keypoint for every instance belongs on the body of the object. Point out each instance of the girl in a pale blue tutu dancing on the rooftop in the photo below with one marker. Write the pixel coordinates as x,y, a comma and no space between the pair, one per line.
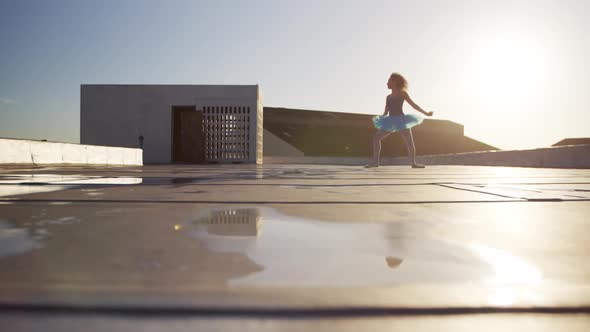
394,119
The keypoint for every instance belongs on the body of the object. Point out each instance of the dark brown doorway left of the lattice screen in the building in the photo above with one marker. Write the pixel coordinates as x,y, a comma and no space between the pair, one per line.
188,145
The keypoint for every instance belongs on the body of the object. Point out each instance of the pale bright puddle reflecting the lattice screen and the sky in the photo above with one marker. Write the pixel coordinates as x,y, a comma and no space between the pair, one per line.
298,252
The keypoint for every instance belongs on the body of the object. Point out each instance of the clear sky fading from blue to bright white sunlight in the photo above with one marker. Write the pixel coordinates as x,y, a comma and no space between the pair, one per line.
515,73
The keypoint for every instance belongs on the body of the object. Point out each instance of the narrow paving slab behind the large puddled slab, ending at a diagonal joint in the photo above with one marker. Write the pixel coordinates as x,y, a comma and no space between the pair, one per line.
265,194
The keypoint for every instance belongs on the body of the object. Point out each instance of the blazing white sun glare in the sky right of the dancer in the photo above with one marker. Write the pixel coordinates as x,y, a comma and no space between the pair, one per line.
505,77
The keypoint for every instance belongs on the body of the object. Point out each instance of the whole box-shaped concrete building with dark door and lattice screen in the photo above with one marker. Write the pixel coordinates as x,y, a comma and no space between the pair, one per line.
175,123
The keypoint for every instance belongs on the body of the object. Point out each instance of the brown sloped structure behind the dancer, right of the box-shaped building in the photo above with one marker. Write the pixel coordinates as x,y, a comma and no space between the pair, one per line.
319,133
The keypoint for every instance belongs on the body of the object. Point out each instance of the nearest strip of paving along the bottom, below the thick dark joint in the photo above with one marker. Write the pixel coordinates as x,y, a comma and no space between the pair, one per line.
457,323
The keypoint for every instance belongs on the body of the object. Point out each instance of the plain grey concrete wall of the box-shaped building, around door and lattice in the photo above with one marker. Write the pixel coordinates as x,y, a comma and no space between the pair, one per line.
116,115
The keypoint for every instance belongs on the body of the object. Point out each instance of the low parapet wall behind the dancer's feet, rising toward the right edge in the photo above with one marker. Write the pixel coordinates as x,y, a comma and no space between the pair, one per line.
574,156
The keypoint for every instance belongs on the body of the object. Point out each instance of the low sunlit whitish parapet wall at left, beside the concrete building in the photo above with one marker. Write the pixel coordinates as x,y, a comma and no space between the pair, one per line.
17,151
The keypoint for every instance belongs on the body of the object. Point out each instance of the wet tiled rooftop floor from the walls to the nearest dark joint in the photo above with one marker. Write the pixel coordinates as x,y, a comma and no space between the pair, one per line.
237,238
